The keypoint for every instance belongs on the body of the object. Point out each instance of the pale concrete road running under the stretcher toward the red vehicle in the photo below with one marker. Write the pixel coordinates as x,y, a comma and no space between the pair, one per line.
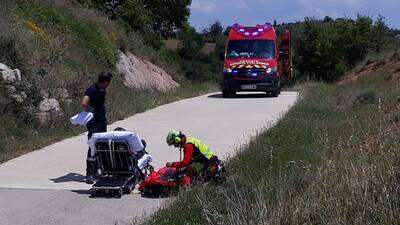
46,186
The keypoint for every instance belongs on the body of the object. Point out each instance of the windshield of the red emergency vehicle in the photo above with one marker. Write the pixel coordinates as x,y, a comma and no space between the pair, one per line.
251,49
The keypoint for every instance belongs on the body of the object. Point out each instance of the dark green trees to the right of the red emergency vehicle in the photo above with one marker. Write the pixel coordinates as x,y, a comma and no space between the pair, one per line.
325,49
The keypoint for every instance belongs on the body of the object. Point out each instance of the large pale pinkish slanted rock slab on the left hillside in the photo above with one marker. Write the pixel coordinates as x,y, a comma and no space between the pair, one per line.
142,74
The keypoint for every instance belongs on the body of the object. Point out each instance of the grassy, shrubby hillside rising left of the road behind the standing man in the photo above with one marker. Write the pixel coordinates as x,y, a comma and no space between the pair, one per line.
60,47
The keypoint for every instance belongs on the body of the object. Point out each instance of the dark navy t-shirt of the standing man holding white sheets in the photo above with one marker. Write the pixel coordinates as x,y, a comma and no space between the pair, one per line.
97,99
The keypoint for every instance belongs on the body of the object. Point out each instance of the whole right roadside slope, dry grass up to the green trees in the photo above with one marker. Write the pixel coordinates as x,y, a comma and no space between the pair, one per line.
333,158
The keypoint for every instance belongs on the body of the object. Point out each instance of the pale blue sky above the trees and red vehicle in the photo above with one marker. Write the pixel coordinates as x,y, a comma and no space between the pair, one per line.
252,12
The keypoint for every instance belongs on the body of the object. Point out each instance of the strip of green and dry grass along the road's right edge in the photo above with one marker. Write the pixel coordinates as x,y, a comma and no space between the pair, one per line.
332,159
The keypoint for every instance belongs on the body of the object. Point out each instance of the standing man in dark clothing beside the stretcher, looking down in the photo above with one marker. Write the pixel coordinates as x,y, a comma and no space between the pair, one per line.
94,101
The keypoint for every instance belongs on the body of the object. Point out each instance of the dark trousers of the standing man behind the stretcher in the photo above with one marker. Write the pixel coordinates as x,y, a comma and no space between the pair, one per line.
94,126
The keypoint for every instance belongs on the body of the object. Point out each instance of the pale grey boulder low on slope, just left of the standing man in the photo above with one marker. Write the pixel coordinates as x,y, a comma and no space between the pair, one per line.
49,111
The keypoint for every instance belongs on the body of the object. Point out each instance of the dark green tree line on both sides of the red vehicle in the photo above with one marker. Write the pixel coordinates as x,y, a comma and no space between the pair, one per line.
323,48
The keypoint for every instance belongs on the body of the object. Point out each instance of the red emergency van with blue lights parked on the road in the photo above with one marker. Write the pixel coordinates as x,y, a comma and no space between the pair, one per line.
256,60
